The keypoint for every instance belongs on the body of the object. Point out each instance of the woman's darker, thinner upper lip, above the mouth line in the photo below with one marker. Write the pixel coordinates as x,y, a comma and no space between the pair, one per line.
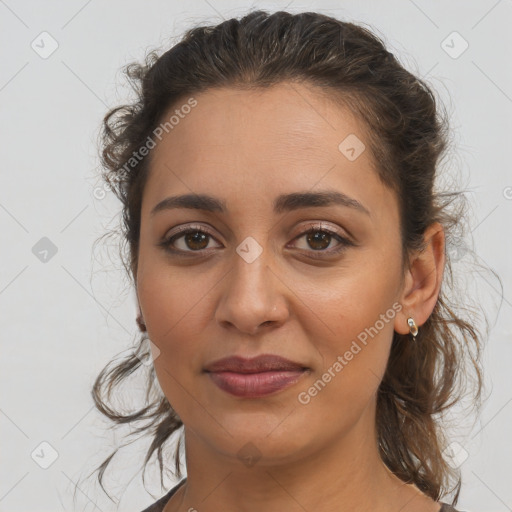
263,363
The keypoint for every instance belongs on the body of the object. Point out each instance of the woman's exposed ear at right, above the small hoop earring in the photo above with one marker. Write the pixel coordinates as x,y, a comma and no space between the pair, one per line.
422,281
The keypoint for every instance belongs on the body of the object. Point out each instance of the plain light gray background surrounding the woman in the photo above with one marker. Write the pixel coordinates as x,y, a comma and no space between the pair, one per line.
64,315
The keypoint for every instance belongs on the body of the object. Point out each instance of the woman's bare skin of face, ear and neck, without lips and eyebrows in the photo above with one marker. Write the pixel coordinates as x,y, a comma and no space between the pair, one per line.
246,148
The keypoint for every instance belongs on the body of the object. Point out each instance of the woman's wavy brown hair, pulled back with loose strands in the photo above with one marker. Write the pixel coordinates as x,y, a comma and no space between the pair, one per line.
408,135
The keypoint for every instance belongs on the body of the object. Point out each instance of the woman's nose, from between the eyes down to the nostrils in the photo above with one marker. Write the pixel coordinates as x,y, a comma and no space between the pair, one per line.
252,295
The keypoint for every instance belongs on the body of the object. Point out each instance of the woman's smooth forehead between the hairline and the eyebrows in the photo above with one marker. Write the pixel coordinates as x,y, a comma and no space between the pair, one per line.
260,143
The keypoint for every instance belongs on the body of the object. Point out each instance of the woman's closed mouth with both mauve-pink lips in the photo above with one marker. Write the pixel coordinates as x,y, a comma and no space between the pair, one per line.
256,377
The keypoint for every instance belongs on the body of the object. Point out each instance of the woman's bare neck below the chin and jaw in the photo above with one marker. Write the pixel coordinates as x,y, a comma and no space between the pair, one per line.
345,474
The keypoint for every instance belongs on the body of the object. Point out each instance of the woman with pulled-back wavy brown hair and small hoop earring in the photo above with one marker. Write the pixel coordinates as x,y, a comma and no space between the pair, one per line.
288,250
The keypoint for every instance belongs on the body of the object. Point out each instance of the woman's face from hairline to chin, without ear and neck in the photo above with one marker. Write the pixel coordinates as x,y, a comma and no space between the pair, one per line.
248,279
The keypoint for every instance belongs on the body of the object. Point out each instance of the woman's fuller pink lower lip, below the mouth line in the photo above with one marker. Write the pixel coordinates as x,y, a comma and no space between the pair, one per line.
253,385
